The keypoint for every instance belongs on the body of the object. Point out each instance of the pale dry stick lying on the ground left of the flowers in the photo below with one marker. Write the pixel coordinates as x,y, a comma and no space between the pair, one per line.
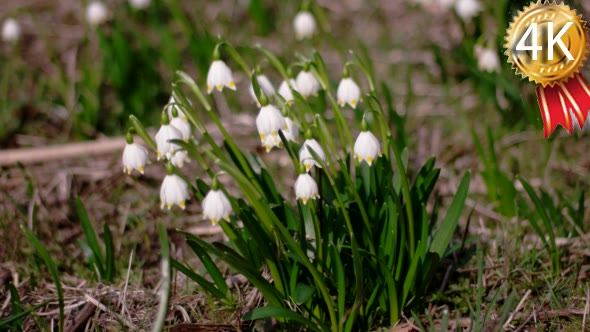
59,152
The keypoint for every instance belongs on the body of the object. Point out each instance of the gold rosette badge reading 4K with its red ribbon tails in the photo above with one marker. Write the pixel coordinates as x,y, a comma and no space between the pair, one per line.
547,43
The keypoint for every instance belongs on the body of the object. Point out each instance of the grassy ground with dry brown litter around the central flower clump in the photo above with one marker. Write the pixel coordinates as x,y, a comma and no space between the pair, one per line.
502,276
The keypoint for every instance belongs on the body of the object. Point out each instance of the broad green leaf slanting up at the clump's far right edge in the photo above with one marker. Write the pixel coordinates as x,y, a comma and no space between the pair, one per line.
443,236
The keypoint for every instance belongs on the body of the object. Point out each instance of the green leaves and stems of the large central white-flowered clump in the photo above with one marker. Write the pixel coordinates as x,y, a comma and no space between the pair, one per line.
354,259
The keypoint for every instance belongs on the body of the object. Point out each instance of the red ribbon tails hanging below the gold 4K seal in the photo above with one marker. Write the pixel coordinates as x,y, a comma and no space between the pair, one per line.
557,101
